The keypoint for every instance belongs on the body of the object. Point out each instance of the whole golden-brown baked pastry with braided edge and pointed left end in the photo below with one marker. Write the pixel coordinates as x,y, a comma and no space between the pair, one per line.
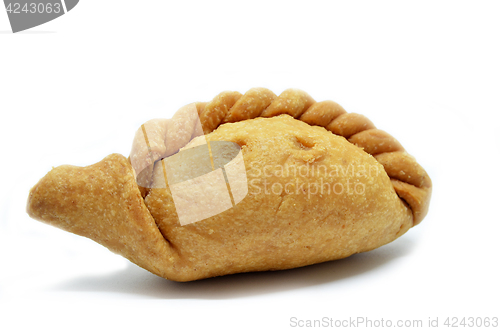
318,184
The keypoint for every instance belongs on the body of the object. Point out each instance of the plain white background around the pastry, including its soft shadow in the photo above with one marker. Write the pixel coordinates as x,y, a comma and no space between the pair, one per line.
77,88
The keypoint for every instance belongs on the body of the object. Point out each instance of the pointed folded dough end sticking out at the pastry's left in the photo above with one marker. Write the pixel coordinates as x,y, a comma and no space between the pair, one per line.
102,202
